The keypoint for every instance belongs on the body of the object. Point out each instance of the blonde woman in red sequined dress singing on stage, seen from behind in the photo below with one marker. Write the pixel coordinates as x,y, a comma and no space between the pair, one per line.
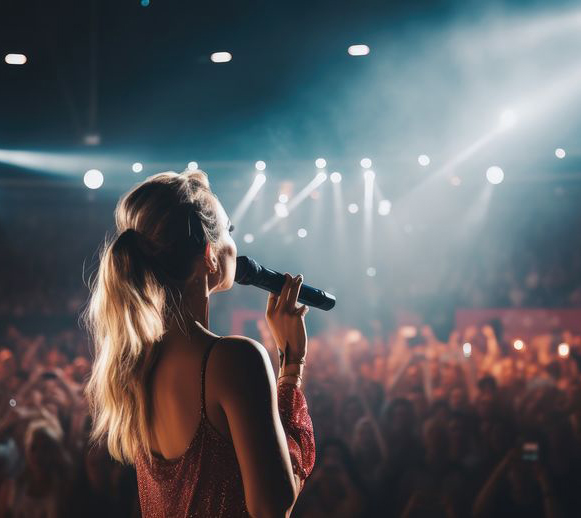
196,413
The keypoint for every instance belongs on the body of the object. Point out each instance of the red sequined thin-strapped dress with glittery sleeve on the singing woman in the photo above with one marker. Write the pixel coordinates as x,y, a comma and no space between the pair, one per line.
205,481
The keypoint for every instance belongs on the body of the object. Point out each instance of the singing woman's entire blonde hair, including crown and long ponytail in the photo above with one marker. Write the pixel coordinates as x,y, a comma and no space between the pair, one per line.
162,225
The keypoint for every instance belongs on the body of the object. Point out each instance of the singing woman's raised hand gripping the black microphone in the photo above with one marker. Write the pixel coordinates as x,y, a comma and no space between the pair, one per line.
285,319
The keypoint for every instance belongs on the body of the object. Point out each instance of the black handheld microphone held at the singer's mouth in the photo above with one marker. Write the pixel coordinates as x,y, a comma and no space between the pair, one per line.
248,271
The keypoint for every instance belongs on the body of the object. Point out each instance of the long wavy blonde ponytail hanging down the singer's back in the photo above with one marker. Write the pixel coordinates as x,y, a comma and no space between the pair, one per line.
126,319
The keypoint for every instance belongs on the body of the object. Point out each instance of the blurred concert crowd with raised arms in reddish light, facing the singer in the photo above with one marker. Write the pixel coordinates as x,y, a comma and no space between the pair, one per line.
405,425
